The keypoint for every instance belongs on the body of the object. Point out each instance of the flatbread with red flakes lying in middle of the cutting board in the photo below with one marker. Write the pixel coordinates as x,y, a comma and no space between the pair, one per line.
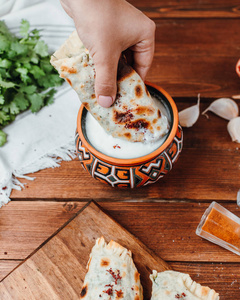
111,274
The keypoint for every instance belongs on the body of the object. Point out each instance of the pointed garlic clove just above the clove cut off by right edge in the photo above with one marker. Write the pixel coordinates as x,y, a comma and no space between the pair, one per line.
223,107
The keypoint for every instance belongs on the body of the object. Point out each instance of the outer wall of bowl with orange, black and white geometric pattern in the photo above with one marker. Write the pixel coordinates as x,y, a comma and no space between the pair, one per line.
135,175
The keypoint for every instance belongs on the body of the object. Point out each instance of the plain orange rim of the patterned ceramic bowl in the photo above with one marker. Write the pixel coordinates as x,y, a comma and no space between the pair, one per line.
138,160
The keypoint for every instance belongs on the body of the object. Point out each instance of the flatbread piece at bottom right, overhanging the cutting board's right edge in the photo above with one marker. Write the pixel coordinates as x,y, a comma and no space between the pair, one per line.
175,285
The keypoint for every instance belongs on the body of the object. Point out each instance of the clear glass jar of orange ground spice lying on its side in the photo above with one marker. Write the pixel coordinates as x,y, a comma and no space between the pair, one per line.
221,227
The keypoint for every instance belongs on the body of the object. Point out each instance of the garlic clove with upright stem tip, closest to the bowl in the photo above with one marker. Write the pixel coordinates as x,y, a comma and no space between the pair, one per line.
189,116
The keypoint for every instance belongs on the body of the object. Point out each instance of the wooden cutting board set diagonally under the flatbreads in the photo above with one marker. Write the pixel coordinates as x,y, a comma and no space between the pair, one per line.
56,270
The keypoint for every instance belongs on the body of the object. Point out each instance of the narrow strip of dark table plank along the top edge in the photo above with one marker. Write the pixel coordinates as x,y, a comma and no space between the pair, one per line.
189,8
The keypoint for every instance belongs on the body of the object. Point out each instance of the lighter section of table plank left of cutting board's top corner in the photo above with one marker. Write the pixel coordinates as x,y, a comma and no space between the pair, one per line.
25,226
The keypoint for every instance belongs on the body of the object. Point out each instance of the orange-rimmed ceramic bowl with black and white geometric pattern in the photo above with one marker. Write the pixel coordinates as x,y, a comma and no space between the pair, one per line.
135,172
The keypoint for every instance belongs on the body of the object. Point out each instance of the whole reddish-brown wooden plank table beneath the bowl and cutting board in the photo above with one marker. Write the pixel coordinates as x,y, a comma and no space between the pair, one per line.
197,47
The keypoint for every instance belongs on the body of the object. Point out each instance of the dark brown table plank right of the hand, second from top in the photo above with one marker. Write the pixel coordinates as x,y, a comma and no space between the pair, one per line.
194,56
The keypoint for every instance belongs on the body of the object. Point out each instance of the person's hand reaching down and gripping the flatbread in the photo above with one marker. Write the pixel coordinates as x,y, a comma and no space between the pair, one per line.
107,28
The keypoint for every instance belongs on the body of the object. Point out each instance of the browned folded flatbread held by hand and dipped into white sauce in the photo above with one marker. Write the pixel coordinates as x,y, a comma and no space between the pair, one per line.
134,116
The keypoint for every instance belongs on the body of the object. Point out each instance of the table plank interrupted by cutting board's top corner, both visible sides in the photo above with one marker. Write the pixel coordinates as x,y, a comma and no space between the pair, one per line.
168,229
